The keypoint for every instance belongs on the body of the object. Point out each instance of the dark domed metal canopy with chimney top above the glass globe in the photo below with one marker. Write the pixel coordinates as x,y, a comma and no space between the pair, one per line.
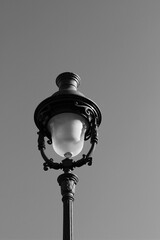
67,100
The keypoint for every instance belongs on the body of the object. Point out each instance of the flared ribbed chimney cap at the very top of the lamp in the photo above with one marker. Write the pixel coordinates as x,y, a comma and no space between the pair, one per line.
68,81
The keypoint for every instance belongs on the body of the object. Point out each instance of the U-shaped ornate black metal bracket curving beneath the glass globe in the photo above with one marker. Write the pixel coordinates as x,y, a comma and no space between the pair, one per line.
68,164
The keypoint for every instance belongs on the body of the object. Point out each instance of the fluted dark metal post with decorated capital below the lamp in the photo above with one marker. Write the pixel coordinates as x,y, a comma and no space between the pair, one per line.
67,182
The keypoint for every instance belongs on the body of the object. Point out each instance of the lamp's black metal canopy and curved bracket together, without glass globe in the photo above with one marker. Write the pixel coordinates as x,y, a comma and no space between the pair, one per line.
67,100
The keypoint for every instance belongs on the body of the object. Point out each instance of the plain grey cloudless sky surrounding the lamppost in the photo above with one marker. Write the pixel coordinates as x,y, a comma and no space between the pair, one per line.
114,46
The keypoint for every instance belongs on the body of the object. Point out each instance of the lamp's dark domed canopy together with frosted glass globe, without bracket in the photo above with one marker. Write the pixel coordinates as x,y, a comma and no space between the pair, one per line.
66,118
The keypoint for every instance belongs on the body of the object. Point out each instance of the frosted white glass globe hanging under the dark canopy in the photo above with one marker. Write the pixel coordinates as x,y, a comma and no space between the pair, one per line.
67,131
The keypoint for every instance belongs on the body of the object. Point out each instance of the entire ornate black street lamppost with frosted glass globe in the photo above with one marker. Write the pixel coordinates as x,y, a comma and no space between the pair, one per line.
67,119
